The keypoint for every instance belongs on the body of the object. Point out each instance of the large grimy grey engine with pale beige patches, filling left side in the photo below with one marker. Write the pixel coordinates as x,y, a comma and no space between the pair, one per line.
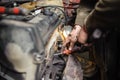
22,43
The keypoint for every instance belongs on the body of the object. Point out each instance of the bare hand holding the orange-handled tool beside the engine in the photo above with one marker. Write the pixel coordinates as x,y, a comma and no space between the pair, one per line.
77,34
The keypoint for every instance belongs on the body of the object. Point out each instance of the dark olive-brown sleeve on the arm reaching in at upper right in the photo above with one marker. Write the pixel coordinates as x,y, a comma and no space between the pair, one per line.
105,15
